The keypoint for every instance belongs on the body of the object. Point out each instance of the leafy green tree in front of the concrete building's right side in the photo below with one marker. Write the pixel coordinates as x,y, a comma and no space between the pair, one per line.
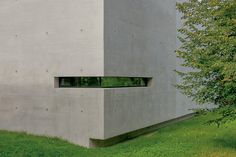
208,50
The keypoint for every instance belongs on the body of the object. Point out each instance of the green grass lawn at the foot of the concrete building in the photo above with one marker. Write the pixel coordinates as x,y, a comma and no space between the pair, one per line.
190,138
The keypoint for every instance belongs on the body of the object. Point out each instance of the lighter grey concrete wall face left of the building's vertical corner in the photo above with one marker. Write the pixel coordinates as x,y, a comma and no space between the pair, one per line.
41,39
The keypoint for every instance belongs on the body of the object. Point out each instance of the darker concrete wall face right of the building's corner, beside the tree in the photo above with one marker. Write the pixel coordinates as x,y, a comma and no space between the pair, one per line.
140,40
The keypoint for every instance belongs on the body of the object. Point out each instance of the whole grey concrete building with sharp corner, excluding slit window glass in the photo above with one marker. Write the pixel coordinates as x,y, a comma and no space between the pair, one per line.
43,40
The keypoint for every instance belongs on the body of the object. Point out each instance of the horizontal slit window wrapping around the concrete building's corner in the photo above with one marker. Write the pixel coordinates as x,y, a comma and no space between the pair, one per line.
101,82
